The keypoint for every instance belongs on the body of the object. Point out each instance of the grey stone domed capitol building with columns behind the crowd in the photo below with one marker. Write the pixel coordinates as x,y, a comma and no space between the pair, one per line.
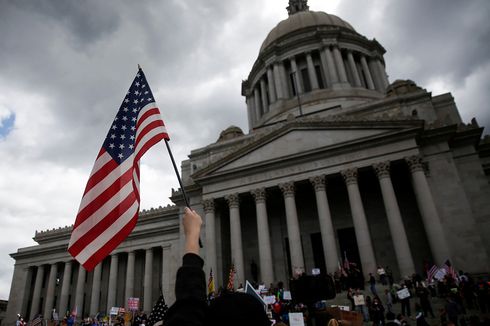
337,161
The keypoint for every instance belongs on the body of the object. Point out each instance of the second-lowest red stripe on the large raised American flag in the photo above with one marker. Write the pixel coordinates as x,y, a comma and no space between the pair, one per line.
103,224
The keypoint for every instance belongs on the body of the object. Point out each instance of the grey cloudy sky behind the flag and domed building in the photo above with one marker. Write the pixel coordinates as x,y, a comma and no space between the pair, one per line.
66,65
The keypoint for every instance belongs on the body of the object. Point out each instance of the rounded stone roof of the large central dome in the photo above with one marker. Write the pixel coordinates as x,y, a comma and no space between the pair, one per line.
300,20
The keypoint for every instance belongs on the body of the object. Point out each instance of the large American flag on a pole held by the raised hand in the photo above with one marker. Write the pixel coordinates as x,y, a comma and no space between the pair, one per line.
110,204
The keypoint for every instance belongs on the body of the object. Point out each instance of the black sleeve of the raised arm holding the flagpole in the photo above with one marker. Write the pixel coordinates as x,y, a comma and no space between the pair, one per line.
190,306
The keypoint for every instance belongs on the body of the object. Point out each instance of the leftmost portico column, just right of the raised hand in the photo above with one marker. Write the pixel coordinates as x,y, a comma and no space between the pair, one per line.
210,228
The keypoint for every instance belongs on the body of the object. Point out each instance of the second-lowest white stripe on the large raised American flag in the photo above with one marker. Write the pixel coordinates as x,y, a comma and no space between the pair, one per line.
102,212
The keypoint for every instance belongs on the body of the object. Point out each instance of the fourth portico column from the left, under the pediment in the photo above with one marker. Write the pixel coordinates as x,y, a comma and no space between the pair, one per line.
295,247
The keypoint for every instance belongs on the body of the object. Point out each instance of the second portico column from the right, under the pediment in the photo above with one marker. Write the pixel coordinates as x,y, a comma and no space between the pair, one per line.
395,222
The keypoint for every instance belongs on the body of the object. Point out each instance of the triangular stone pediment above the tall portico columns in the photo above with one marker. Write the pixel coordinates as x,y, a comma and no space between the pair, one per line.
298,140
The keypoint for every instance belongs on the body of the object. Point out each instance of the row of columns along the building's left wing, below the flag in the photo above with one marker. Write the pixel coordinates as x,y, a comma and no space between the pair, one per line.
96,284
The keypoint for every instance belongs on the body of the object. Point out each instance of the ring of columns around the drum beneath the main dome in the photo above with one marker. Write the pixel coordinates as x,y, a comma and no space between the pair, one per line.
274,84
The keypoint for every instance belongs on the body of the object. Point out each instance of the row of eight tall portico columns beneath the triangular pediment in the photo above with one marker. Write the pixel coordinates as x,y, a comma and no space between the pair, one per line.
401,245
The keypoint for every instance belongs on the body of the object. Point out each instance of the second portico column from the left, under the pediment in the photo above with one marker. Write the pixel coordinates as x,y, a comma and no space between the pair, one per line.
236,237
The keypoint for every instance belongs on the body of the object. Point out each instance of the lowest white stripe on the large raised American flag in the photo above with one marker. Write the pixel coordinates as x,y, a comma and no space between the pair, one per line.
108,234
